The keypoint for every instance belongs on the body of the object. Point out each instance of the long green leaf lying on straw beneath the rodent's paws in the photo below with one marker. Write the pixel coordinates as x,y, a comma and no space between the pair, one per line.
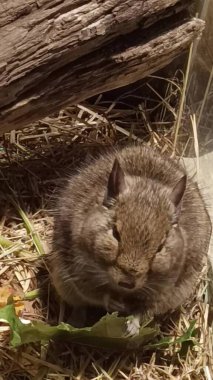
108,332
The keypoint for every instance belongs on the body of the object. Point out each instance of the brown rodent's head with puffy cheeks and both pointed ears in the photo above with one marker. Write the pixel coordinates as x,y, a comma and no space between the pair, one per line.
135,233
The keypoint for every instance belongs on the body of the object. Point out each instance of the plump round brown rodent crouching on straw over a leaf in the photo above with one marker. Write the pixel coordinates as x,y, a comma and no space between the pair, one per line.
131,234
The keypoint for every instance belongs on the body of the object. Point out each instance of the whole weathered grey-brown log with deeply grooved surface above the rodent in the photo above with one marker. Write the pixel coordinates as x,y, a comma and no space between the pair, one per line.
55,53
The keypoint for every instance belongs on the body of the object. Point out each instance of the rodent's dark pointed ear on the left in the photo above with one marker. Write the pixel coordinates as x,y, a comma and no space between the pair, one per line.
116,182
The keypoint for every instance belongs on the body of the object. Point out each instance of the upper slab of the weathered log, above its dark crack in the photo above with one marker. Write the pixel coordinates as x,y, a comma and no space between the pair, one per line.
50,38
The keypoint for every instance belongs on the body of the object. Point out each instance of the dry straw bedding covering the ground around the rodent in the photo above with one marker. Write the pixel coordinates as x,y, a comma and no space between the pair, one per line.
34,162
